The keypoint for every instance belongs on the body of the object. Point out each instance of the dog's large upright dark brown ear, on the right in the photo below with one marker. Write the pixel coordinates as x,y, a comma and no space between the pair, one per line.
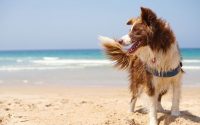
148,16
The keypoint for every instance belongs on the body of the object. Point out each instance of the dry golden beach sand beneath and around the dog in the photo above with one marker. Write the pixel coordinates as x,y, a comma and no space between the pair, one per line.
61,105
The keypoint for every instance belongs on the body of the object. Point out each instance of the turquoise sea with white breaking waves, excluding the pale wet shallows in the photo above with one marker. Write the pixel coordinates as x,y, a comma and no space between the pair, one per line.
53,59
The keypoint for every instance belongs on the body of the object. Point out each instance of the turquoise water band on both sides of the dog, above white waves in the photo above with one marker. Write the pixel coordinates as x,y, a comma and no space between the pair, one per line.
79,54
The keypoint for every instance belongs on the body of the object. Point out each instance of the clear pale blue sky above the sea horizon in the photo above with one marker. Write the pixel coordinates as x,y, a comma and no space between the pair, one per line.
76,24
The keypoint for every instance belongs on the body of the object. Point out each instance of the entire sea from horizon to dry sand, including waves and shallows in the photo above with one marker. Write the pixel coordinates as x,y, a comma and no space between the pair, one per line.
76,67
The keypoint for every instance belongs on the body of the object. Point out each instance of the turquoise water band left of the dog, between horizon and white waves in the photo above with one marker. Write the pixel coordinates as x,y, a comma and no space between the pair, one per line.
73,54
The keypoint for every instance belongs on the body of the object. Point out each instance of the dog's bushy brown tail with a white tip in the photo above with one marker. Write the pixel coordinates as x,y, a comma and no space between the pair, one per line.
115,52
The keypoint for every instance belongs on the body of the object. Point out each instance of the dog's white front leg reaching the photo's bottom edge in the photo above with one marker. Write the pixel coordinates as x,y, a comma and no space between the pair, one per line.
152,110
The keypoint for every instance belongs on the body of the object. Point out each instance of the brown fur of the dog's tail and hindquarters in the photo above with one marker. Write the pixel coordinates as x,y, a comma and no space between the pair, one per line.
138,75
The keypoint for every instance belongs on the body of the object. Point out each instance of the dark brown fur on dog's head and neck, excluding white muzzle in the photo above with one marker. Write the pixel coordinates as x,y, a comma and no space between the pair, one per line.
153,31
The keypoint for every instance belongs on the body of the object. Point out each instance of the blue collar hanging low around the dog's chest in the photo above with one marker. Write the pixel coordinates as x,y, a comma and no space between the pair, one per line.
164,74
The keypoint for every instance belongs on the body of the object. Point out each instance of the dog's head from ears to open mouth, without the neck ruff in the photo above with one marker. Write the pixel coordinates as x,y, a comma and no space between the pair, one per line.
141,32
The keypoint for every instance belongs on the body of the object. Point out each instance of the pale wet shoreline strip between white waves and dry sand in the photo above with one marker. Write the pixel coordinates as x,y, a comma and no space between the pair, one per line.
93,76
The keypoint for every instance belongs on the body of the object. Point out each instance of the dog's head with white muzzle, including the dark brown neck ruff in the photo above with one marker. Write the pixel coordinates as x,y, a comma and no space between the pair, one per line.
148,30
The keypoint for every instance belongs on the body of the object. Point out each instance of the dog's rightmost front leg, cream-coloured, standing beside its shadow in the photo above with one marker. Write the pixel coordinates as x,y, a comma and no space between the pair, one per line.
176,99
